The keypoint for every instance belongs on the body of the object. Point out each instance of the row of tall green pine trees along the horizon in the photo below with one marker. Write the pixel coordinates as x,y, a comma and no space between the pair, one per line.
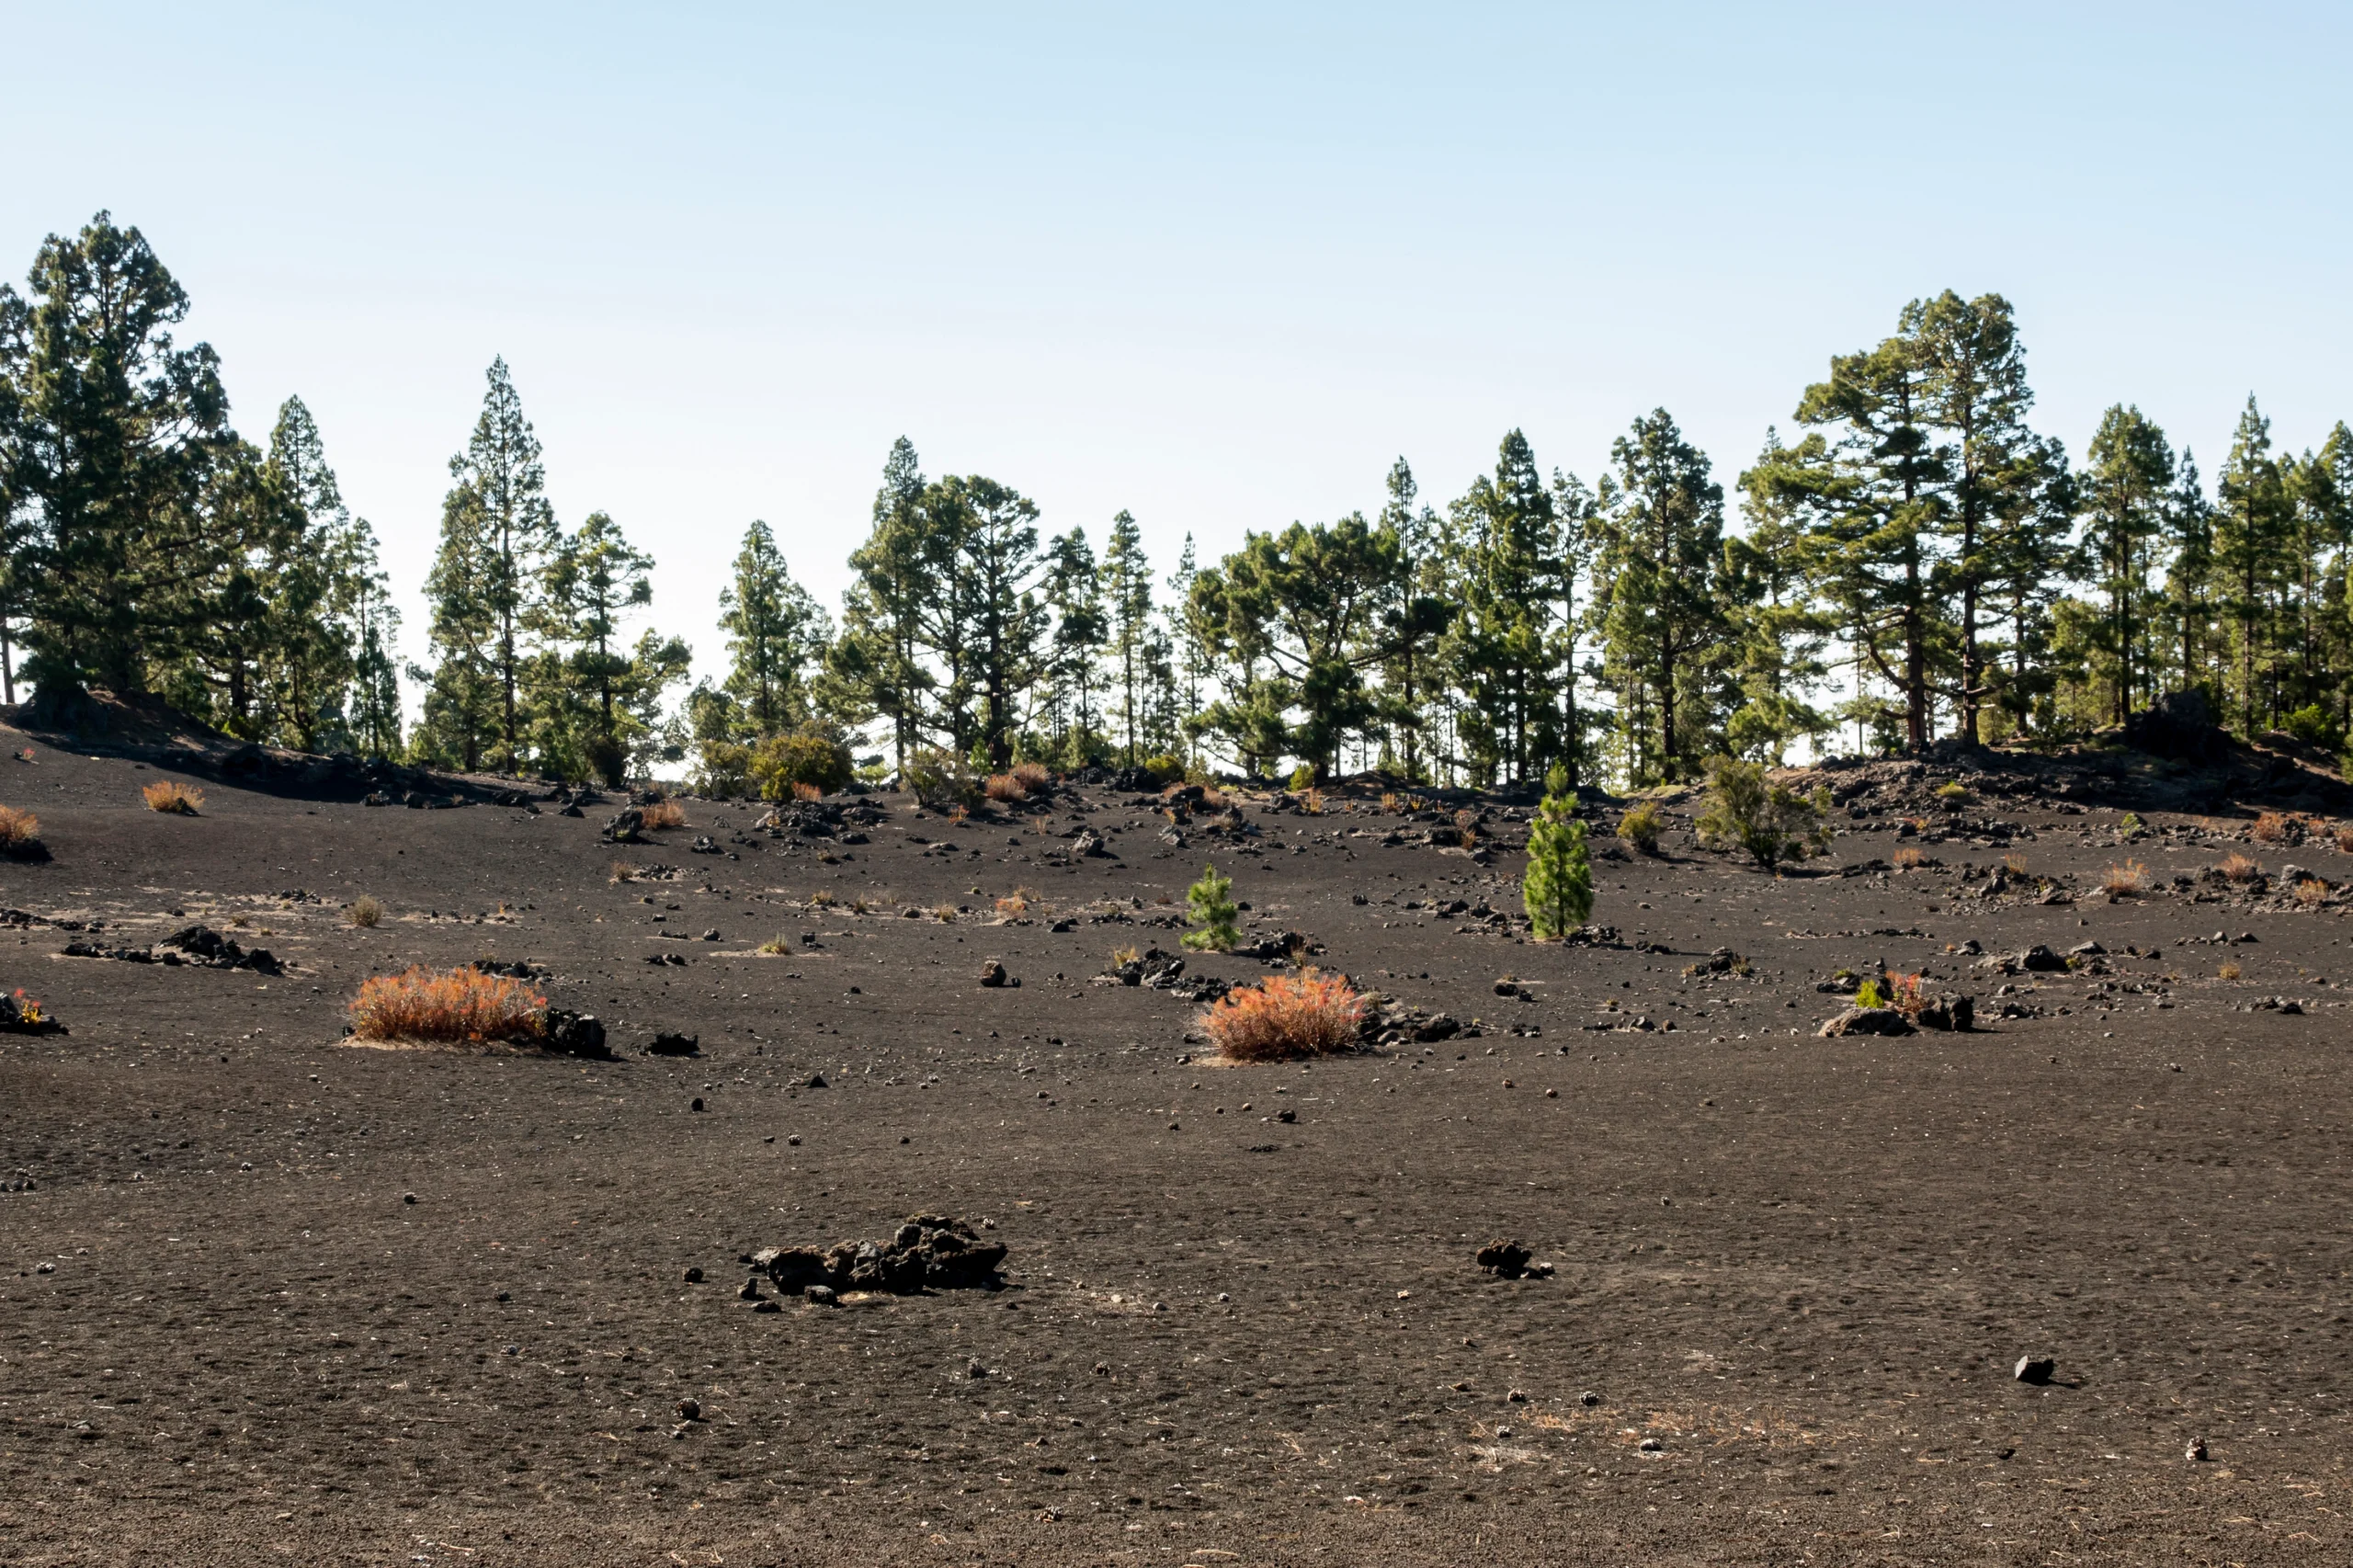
1914,562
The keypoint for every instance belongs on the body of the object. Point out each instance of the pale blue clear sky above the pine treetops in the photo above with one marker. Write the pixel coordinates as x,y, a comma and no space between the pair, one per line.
1211,265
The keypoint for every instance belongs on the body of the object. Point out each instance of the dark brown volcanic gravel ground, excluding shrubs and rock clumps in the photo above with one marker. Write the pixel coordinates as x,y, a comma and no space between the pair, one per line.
1792,1273
